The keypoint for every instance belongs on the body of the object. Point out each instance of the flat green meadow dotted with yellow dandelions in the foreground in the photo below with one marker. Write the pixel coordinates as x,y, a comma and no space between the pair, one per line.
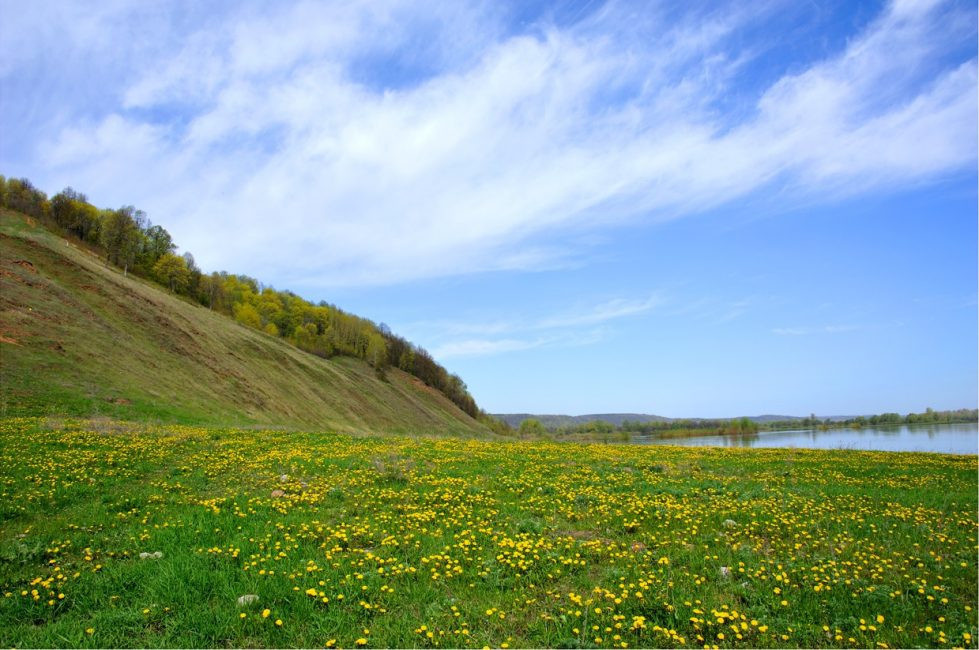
388,541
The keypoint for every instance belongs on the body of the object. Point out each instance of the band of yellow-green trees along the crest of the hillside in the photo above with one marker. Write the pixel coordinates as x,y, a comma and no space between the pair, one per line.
128,239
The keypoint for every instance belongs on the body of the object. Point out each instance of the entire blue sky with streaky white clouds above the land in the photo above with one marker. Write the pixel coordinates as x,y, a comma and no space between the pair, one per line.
703,209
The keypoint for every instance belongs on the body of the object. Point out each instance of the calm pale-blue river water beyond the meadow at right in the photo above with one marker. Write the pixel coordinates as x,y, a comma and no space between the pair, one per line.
941,438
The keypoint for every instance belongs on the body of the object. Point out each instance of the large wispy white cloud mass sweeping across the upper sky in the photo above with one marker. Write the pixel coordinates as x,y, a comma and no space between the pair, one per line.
271,142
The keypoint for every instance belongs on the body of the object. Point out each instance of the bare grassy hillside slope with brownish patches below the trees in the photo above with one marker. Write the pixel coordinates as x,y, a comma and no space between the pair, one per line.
78,338
